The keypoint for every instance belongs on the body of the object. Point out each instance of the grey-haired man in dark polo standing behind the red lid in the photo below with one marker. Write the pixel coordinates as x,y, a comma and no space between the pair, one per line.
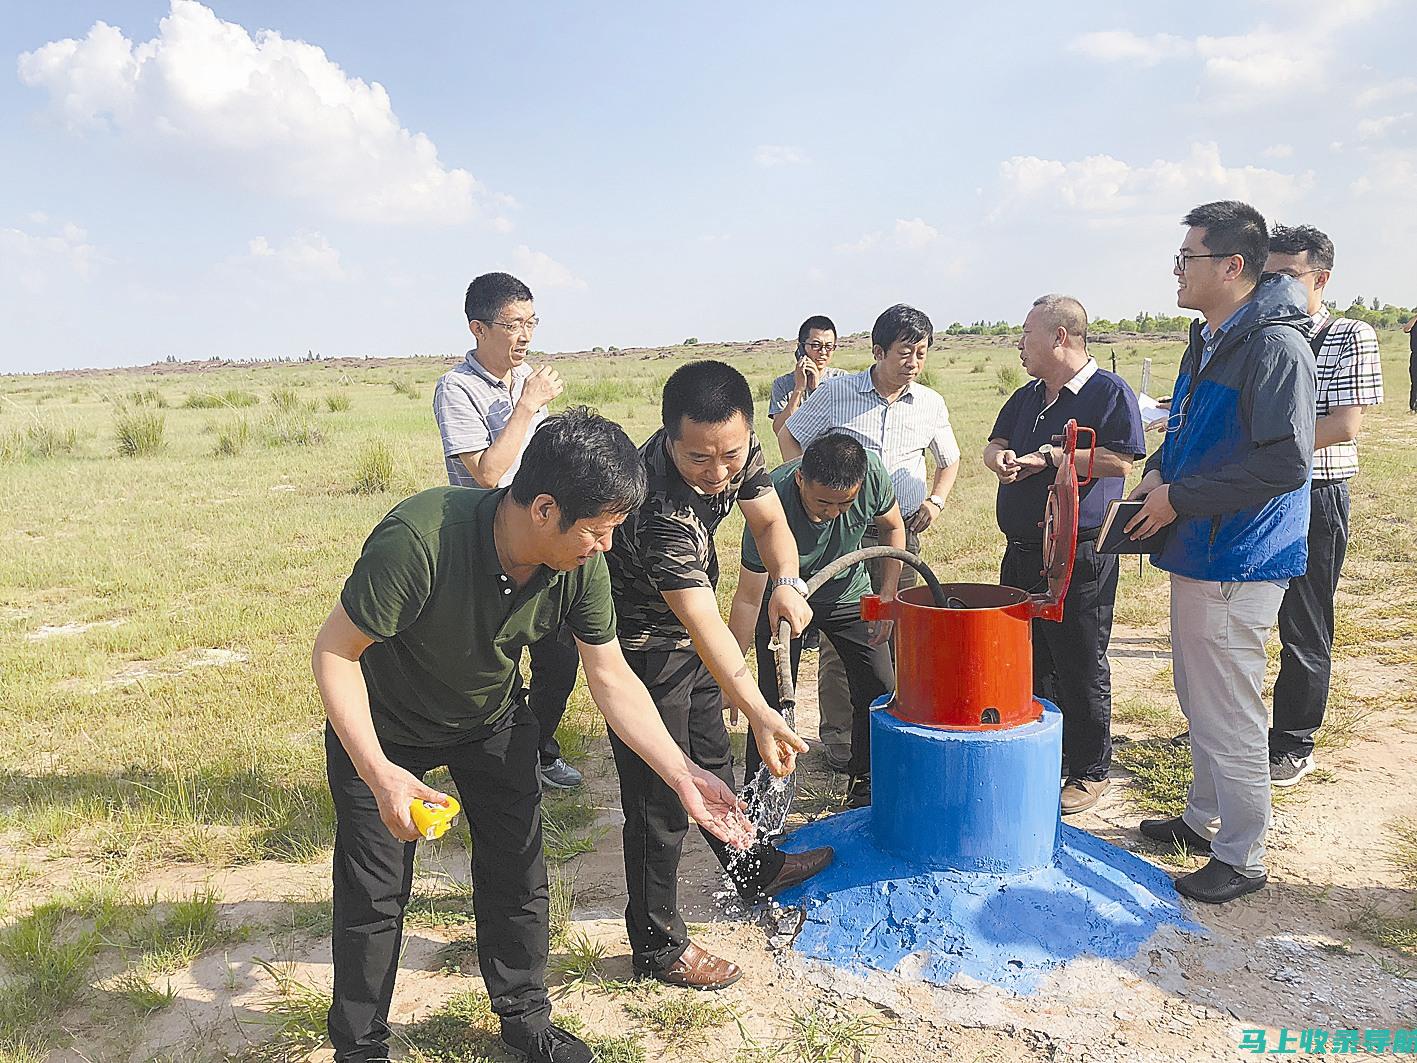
1071,657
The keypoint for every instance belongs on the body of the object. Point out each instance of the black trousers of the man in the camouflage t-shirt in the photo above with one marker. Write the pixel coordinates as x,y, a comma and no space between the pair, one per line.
655,821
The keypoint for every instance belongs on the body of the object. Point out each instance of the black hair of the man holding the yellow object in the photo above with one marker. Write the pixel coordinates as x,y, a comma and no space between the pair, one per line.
583,461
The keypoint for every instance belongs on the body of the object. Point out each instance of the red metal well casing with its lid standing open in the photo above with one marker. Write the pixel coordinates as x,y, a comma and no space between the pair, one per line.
970,667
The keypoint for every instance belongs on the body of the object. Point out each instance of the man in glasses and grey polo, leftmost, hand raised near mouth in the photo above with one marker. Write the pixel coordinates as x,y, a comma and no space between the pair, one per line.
488,407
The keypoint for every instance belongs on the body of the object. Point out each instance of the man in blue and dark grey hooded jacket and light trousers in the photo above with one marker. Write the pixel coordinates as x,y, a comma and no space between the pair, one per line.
1232,483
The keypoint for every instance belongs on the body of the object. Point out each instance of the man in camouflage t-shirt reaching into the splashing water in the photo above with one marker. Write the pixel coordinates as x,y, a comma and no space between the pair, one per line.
664,573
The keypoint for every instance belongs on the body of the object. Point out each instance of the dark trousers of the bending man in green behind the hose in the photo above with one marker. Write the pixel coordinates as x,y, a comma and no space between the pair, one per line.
869,675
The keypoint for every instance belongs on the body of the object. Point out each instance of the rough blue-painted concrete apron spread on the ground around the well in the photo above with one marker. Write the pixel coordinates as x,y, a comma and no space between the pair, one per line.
872,911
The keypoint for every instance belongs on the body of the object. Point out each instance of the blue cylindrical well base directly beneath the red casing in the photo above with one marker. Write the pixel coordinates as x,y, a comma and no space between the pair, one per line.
977,802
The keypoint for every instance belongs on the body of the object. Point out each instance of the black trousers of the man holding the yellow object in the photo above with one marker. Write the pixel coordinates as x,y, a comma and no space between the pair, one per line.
501,797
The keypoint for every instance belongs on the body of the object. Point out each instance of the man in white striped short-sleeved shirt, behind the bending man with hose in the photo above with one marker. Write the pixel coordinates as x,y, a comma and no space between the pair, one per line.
898,419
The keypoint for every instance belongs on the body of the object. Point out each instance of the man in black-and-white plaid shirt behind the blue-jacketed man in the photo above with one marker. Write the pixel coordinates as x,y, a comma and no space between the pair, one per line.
1350,378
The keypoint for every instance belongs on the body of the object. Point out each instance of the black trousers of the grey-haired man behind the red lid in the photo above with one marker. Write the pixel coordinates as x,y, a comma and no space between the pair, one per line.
1071,657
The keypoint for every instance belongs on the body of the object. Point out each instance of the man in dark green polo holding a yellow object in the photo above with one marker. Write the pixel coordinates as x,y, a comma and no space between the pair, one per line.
417,667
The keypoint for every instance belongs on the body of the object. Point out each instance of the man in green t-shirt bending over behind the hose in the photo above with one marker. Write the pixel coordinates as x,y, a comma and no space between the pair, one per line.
831,497
